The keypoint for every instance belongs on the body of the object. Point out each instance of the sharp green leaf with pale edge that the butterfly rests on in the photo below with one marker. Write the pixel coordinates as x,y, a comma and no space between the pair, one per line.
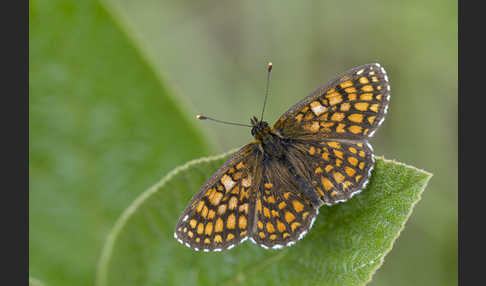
345,247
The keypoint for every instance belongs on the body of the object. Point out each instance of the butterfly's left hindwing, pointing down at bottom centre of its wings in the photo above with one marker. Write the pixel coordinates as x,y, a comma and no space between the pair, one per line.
283,214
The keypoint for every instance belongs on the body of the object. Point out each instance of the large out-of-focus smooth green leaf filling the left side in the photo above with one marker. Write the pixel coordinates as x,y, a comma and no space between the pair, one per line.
102,127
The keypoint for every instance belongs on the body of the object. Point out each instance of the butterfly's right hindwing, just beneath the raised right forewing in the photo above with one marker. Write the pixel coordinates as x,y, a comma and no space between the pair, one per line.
336,170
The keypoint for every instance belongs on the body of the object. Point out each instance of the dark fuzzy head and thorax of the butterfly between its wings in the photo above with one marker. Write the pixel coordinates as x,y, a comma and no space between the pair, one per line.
267,137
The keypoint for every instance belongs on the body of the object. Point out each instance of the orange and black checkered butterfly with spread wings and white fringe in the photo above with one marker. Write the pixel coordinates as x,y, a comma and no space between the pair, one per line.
316,153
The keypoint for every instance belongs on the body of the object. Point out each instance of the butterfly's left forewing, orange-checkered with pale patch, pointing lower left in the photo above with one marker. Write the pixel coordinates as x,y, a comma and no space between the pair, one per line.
220,213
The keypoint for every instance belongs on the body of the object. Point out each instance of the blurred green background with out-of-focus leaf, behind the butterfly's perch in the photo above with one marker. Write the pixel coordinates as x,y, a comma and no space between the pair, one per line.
115,85
